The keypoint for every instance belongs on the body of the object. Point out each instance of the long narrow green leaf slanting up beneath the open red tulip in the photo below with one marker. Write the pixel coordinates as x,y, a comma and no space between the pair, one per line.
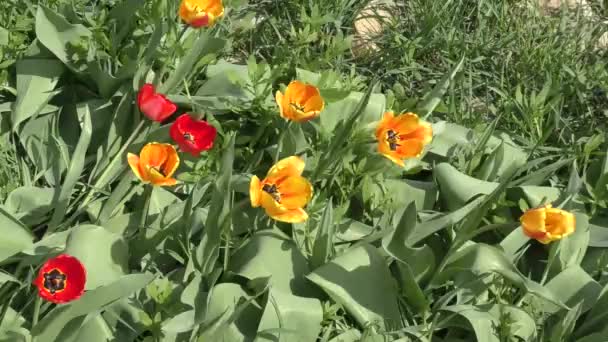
56,320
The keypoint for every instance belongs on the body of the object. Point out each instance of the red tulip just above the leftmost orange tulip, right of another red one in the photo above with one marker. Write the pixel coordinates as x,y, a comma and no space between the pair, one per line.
192,136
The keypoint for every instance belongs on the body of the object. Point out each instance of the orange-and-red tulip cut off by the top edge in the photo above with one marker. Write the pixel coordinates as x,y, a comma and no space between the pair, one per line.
201,13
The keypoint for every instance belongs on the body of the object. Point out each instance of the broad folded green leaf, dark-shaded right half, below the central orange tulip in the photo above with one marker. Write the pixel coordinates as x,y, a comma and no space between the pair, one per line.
360,281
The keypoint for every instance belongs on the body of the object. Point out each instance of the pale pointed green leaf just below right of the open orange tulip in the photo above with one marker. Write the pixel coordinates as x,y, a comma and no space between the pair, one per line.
456,188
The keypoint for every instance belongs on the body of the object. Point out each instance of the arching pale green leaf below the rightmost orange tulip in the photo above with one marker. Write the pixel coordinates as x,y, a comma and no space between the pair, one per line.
482,259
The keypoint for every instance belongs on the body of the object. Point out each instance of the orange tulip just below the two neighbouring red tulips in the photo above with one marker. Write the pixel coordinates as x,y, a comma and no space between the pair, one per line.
155,164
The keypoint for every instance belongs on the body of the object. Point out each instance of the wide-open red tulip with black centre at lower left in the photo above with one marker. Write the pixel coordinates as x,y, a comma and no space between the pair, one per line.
61,279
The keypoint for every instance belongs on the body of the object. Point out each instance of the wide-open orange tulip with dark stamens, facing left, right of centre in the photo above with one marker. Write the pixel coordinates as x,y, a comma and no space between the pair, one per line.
402,137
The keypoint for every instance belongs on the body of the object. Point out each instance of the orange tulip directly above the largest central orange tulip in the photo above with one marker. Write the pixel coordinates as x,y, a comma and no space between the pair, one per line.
301,102
